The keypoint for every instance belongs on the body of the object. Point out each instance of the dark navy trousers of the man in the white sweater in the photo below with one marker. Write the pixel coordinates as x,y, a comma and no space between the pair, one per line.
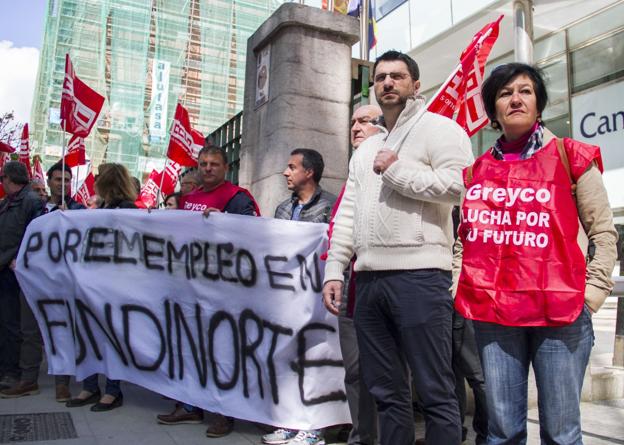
405,317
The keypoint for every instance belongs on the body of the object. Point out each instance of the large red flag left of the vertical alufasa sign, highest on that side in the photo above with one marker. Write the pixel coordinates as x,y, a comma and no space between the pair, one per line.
80,105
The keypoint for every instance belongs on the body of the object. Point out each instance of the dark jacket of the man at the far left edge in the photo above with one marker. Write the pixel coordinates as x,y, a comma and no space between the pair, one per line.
16,212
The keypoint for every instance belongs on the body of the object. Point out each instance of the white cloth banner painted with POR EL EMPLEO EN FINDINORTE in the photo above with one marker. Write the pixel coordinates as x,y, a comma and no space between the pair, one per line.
221,312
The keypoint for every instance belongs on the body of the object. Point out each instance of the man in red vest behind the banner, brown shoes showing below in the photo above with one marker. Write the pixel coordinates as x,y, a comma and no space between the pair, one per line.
215,194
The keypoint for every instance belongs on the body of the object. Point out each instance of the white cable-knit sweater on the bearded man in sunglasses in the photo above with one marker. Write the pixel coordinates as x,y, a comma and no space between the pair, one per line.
401,220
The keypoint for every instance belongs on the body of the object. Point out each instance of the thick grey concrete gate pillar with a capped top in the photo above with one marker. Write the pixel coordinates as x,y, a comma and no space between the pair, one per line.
297,94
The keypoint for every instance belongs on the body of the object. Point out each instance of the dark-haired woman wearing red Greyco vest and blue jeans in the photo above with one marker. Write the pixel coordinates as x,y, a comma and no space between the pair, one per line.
523,272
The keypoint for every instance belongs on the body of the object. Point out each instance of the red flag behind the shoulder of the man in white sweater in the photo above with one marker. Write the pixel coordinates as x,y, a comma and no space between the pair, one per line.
460,96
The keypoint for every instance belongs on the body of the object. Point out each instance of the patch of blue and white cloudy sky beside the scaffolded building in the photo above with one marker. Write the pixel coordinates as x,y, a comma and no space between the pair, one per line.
21,35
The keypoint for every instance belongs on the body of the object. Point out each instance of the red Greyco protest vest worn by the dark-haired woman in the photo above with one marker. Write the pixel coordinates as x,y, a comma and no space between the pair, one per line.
522,265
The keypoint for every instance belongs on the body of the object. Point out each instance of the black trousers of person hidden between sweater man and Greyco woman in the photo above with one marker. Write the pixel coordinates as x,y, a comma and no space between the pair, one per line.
467,365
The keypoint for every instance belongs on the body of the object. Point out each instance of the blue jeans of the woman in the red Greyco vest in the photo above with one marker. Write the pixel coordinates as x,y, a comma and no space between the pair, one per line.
559,356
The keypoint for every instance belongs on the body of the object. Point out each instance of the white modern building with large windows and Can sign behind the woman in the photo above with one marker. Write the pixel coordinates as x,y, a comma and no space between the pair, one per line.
578,44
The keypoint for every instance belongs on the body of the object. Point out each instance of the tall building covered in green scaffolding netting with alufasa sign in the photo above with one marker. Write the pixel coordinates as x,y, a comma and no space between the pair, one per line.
143,56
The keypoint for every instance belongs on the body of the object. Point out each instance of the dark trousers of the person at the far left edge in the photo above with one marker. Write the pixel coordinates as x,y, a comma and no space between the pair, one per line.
10,337
